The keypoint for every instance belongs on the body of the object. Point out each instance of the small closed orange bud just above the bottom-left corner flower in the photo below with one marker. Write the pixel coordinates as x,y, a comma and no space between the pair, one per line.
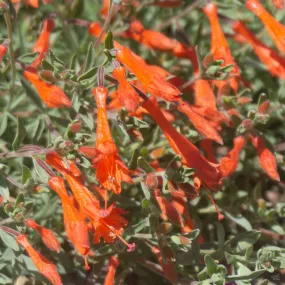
48,237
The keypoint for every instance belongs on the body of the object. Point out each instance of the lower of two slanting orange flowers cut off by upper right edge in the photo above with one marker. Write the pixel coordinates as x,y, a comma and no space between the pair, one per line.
274,62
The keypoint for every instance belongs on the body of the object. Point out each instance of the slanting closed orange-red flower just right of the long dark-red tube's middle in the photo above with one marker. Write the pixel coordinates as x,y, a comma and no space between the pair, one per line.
201,125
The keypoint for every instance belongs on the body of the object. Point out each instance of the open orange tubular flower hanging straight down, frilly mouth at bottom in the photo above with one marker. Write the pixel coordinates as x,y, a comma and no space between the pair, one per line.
110,170
